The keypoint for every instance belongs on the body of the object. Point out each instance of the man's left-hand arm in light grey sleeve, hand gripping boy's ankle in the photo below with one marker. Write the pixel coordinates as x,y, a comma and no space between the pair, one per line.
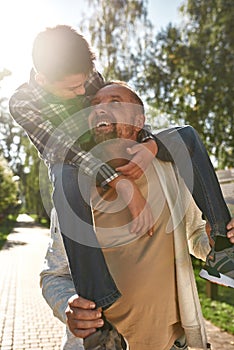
59,291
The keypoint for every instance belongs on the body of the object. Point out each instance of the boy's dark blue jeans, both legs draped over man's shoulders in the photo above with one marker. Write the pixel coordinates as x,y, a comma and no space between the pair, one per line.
89,271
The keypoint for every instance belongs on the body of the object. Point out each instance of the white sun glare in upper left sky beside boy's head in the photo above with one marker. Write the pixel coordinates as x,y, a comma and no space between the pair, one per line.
20,21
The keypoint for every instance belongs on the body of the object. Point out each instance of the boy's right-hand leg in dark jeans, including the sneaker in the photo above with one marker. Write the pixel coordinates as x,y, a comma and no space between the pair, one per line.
206,192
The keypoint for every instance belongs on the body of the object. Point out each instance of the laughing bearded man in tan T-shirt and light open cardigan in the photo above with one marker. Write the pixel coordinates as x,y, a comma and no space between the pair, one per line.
159,306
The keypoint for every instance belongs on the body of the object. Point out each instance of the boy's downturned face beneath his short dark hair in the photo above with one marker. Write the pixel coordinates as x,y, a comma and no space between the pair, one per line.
68,88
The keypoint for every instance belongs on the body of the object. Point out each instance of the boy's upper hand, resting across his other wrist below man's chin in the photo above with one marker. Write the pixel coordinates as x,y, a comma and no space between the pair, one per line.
143,154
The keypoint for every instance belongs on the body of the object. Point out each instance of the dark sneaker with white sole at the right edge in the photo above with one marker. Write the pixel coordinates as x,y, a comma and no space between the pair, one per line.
219,267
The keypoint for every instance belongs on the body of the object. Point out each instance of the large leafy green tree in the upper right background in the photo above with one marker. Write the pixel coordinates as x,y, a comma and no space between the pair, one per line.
189,74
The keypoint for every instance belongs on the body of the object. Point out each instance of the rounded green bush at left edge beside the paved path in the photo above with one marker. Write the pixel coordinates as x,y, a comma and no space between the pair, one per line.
8,189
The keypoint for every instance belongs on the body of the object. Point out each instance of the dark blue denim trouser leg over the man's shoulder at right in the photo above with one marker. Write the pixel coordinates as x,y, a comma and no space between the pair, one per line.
206,190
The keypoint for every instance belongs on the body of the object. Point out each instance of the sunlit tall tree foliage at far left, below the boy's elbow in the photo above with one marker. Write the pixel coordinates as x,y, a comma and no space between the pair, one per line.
24,162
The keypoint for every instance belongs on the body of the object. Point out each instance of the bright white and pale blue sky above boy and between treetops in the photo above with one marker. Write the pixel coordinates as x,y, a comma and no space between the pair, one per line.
21,20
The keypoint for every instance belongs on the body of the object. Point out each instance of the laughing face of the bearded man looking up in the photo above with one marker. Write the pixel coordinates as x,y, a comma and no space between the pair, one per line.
115,114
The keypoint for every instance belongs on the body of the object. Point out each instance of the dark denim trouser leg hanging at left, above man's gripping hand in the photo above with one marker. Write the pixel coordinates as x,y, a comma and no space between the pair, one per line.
89,271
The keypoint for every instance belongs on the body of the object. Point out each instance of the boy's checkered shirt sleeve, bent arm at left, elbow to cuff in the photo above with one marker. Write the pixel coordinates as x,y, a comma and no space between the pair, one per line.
54,145
